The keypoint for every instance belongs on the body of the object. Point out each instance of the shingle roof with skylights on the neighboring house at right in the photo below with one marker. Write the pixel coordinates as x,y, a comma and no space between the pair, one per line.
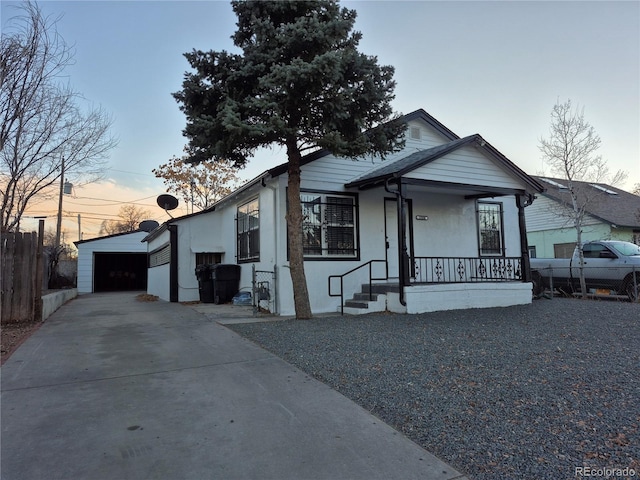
620,208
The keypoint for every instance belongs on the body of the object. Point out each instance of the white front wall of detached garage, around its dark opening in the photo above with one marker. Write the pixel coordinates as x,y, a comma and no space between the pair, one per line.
125,243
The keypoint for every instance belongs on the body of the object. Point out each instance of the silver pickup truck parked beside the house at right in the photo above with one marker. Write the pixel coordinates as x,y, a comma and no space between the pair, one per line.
608,265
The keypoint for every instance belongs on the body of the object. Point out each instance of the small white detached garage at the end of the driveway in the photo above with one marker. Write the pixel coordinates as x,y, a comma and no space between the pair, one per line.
112,263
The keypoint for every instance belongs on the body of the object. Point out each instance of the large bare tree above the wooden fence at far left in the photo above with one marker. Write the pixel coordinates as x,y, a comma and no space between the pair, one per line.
47,130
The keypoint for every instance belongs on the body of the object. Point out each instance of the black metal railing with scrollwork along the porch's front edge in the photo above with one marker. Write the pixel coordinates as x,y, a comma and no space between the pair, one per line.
467,269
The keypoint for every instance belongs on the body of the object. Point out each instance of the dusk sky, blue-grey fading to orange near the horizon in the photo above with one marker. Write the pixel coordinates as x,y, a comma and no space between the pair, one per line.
493,68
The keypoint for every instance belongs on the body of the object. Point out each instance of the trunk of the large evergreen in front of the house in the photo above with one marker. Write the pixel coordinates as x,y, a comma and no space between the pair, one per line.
294,237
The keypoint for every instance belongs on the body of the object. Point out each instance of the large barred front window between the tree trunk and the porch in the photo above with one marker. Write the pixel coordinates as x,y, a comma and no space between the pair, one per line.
329,225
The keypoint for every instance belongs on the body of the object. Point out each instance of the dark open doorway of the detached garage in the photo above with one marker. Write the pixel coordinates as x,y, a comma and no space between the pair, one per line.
119,272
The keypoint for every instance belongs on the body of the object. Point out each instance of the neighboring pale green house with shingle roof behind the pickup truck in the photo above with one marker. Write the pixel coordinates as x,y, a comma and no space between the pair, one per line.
610,214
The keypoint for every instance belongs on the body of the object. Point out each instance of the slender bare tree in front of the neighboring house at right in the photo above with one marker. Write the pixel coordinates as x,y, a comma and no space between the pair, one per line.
570,151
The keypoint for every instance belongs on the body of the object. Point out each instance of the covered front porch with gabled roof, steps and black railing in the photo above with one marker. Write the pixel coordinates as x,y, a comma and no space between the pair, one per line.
455,231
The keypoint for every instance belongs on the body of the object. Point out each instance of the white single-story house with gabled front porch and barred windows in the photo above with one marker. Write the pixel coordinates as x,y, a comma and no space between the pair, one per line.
462,243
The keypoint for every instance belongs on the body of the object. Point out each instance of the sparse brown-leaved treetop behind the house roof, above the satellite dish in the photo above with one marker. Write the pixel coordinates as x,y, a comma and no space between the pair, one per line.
200,185
